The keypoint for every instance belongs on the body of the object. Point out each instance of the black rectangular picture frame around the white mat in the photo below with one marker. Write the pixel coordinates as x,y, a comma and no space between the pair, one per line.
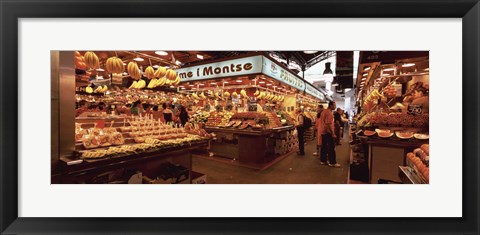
11,11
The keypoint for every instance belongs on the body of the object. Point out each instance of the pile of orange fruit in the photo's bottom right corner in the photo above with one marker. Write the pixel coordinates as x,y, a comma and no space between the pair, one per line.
419,161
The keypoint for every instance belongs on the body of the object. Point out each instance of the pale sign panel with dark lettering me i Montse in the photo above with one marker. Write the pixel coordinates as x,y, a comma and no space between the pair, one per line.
236,67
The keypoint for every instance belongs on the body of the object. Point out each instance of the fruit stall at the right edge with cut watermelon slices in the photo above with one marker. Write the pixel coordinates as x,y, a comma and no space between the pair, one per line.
393,119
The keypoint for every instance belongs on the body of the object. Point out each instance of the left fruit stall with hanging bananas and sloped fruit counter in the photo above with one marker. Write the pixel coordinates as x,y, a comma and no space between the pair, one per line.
115,135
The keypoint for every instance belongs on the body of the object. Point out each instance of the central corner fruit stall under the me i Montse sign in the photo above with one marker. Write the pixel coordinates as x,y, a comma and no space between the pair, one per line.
249,104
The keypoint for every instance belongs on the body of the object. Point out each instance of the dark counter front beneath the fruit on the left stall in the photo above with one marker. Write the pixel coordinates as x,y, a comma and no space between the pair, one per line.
143,161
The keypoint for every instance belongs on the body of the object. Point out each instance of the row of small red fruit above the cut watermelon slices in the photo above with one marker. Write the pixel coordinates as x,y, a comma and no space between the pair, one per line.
394,119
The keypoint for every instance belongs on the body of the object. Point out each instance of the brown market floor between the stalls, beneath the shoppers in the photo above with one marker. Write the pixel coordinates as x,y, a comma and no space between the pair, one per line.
291,170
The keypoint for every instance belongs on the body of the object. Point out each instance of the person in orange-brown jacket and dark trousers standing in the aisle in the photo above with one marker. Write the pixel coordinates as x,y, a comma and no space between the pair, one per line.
328,136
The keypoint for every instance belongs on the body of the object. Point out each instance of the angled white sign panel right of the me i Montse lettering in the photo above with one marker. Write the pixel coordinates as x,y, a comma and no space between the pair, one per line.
275,71
